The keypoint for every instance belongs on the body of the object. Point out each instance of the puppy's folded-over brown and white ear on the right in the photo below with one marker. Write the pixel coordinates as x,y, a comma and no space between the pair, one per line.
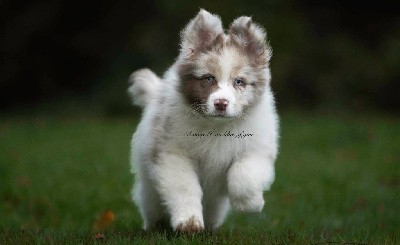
252,38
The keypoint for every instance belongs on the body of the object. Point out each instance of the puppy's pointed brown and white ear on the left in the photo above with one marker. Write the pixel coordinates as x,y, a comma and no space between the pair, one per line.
201,33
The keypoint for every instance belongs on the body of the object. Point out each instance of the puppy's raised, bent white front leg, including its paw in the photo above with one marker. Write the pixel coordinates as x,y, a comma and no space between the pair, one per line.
247,179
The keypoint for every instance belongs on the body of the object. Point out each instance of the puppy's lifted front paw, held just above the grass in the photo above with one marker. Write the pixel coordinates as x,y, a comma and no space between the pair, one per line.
248,204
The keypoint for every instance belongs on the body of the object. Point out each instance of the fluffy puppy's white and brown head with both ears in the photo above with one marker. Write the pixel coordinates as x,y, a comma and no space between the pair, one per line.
222,75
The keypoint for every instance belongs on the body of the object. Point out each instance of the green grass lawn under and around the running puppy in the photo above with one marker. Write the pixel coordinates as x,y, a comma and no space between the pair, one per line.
337,180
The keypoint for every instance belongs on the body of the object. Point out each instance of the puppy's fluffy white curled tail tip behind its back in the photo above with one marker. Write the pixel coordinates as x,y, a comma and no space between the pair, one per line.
144,86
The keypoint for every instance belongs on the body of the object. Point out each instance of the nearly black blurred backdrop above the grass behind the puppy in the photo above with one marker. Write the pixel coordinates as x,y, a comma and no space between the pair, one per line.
330,55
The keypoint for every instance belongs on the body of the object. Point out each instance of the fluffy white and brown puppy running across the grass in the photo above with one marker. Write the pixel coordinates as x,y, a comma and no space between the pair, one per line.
208,136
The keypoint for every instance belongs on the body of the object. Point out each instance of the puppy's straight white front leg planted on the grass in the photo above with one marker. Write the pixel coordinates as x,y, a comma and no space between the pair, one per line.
180,191
